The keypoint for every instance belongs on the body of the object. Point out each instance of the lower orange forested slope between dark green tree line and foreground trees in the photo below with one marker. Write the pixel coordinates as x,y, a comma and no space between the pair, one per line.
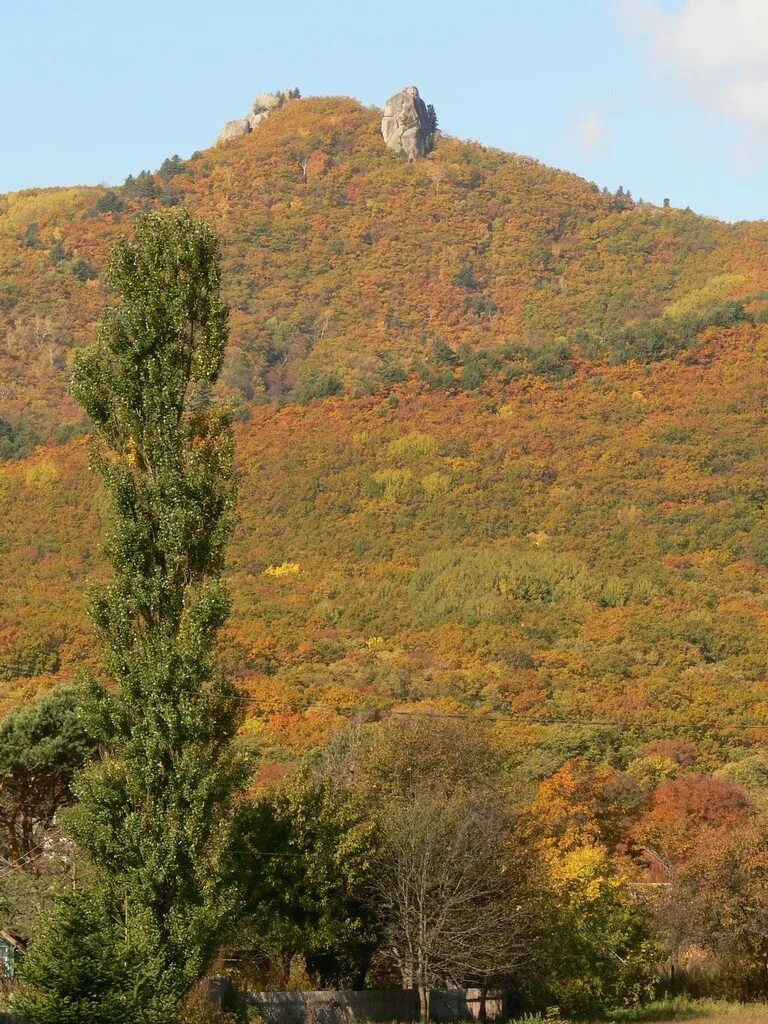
595,550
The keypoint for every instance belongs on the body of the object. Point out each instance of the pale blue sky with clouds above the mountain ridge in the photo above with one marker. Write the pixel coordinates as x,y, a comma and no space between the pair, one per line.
668,99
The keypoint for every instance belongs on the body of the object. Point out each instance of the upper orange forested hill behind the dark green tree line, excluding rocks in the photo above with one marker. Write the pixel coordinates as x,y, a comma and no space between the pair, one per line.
348,269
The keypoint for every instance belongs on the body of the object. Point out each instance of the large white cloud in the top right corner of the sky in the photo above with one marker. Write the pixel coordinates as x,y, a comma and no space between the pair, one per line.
718,50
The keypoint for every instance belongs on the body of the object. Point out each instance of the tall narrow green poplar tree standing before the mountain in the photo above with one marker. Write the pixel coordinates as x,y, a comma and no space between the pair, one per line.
156,815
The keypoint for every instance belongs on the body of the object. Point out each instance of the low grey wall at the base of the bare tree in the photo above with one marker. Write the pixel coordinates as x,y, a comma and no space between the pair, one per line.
382,1005
